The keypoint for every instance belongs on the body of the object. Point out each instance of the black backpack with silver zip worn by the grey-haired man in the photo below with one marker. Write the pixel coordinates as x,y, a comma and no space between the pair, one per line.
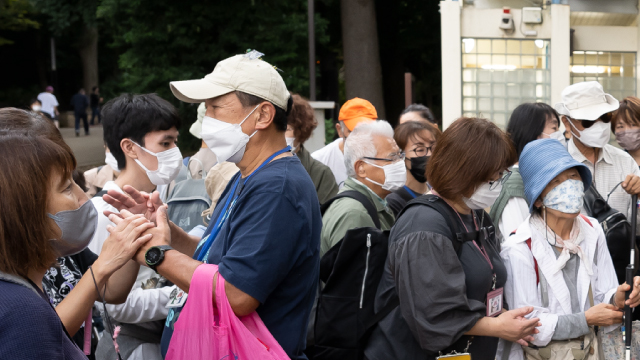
351,271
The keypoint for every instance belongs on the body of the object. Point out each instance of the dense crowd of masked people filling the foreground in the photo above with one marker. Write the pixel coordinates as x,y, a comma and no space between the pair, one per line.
473,241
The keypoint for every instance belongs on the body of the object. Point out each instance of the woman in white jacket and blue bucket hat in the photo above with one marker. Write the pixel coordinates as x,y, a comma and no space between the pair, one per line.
558,261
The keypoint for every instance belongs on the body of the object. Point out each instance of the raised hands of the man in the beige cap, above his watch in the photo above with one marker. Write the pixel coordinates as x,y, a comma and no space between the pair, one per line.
134,204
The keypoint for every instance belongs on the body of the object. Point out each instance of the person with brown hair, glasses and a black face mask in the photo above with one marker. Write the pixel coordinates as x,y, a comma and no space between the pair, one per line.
416,139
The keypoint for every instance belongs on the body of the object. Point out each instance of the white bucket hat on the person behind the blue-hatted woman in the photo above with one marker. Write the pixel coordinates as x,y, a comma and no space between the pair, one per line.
586,101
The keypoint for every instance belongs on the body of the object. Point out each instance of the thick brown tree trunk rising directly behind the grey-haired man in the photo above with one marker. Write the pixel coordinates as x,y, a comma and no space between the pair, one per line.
362,72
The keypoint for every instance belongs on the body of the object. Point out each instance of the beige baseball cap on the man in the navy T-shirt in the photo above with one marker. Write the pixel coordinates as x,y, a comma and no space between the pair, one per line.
245,73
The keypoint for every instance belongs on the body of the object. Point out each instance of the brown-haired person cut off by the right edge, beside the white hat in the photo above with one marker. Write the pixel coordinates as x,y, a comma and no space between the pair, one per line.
625,122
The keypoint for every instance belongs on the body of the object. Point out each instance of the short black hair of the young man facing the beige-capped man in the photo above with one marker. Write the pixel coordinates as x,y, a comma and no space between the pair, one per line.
132,117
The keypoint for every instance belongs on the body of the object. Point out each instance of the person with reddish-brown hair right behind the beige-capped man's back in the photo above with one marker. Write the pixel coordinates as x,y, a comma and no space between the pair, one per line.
300,125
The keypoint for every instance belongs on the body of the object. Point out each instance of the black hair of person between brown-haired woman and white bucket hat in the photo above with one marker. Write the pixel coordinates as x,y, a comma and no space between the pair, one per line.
527,123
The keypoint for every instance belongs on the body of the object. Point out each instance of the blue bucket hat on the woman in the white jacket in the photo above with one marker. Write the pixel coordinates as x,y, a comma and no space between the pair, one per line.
541,161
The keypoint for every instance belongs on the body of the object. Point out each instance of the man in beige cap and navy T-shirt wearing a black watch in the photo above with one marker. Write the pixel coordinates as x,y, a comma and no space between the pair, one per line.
267,223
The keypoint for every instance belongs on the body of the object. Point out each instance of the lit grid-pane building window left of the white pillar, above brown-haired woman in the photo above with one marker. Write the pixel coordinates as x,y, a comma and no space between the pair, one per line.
498,75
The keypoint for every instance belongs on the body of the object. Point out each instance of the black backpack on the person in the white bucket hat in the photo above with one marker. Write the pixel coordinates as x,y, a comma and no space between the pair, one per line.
616,229
